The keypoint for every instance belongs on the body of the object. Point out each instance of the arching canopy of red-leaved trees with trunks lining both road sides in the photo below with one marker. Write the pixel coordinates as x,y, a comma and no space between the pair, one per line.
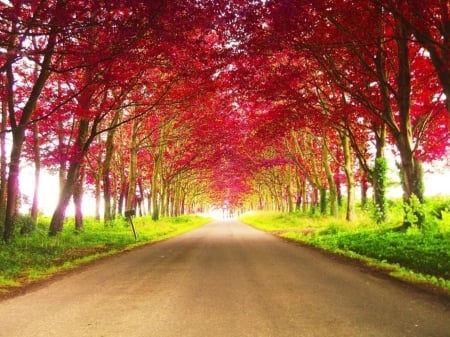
170,106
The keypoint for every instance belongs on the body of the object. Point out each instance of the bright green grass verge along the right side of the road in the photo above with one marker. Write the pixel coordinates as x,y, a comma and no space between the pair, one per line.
416,255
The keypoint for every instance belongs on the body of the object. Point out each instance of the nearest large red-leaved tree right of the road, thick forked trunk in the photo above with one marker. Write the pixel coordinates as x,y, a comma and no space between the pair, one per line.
362,55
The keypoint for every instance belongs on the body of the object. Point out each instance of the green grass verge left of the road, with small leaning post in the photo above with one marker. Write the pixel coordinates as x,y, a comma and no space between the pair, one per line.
36,256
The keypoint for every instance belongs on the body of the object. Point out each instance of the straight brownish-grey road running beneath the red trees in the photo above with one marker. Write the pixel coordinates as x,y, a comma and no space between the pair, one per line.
224,279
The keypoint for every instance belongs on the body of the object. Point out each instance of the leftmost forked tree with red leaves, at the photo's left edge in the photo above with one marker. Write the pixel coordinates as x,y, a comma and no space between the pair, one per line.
19,27
